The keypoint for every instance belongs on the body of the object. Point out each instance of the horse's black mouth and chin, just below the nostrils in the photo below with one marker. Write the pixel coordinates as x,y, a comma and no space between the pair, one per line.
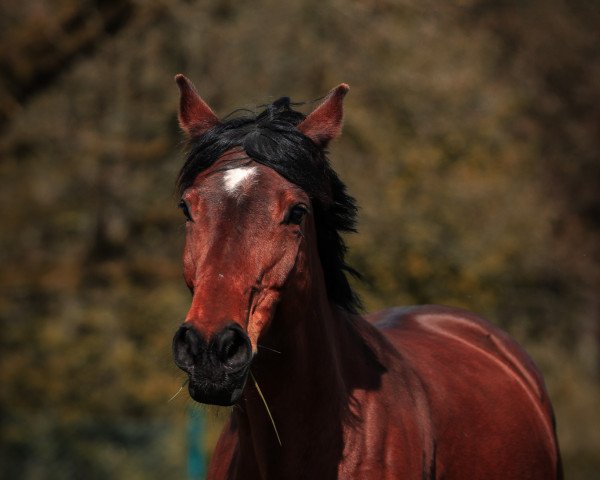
225,392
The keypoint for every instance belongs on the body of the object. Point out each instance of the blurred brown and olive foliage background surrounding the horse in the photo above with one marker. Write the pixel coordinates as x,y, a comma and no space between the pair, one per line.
471,141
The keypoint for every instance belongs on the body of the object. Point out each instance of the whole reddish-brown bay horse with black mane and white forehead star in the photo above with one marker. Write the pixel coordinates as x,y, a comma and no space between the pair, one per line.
318,390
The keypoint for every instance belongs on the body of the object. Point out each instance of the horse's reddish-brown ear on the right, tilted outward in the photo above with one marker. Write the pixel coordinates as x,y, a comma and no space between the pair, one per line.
325,121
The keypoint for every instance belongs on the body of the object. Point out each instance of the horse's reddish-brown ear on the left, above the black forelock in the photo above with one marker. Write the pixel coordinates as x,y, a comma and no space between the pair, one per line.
195,116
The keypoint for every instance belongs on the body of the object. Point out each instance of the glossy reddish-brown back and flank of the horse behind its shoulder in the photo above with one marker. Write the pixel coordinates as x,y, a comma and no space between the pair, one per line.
489,409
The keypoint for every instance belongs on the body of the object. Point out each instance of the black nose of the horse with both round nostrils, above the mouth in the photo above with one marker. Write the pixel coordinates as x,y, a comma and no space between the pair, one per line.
229,348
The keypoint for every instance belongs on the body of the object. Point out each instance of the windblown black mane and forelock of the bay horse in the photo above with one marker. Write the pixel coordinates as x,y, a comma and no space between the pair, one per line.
271,138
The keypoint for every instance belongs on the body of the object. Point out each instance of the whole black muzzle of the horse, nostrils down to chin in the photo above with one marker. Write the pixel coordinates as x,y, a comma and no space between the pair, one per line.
218,367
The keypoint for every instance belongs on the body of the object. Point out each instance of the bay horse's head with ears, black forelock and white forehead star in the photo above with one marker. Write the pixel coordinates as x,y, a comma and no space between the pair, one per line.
253,190
